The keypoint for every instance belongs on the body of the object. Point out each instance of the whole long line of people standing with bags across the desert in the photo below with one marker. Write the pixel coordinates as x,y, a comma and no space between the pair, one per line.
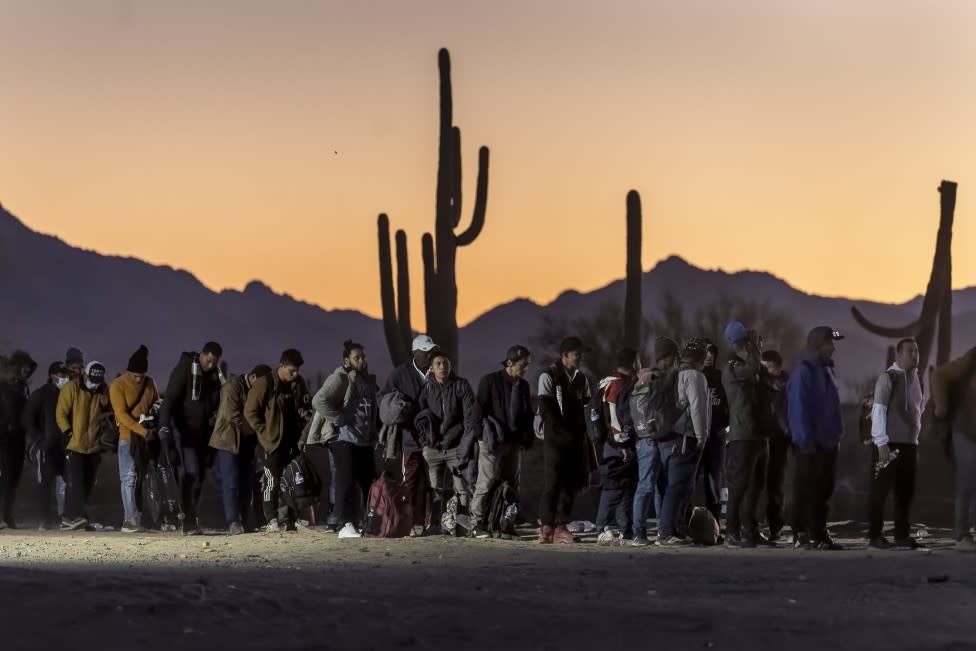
687,418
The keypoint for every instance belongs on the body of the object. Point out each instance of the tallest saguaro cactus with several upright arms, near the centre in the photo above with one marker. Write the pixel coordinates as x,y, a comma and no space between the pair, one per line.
440,248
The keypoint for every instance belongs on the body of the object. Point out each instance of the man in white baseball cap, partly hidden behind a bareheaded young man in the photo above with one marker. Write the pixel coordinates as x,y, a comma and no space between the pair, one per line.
409,380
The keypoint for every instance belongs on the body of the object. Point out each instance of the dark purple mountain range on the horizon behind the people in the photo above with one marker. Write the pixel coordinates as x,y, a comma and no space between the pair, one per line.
53,295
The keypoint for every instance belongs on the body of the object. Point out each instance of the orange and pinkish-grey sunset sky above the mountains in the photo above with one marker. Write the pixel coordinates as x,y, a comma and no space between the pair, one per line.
804,138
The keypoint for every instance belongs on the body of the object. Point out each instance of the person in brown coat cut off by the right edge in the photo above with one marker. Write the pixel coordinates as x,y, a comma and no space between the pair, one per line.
954,395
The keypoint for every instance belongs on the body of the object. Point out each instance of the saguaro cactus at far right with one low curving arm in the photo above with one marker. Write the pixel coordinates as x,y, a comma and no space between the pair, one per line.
937,304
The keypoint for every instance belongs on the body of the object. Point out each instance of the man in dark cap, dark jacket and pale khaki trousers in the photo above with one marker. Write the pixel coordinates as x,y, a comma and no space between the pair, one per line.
506,412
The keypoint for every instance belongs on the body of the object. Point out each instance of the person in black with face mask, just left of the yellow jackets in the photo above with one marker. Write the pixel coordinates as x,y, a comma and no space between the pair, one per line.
45,446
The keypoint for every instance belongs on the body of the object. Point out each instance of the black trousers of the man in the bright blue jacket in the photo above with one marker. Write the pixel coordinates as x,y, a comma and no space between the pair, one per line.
813,485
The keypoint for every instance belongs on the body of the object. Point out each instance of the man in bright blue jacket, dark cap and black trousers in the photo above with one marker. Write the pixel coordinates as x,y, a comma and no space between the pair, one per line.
816,427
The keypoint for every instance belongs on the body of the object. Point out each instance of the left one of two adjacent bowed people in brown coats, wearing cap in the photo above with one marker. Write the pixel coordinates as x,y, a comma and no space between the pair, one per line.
236,443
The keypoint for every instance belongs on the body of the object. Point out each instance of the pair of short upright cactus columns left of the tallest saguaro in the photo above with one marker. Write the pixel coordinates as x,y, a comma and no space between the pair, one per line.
396,308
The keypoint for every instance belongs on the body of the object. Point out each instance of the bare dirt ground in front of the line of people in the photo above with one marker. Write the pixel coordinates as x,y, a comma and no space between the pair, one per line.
310,590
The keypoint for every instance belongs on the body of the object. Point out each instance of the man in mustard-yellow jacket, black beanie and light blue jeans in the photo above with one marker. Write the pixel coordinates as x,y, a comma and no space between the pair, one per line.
133,394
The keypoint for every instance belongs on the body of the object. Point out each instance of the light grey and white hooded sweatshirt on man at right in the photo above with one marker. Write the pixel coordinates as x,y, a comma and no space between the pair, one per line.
896,416
